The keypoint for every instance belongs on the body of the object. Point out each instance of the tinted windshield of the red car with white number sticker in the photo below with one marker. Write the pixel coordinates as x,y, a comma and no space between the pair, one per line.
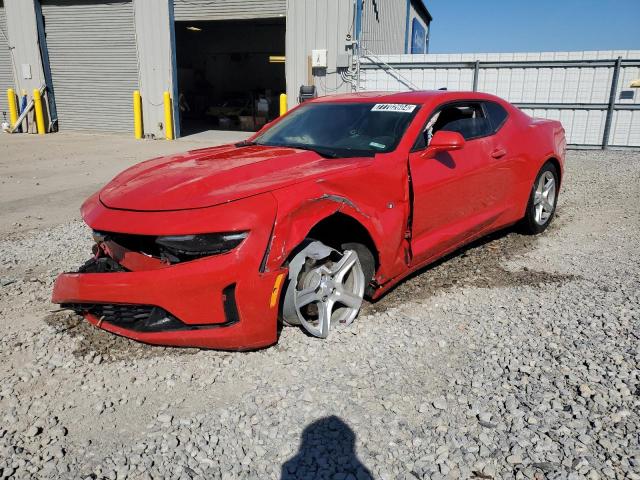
342,129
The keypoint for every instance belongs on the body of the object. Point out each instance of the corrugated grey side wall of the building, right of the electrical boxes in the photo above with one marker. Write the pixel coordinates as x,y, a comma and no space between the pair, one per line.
383,26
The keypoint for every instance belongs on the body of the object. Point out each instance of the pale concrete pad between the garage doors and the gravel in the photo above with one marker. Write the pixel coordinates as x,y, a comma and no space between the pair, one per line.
45,179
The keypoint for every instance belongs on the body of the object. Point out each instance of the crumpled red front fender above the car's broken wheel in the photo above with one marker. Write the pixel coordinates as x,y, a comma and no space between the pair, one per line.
374,193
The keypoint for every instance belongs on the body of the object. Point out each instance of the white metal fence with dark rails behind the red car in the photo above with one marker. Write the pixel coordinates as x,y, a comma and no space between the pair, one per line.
587,91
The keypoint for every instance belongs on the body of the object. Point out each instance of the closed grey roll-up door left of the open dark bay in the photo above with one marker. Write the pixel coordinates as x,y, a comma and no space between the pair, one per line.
92,52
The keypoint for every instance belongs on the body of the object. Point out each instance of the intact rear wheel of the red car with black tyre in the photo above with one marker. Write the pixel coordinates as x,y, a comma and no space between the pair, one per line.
542,200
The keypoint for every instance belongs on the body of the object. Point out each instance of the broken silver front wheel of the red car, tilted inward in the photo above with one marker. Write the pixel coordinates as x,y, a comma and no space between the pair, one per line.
326,286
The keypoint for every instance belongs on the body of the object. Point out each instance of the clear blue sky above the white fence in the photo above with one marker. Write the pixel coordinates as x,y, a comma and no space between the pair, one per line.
471,26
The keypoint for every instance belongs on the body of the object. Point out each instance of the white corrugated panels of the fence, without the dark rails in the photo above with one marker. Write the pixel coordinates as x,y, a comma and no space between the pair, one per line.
588,85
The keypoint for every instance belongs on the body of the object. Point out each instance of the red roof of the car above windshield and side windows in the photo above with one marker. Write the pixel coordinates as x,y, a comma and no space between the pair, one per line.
417,96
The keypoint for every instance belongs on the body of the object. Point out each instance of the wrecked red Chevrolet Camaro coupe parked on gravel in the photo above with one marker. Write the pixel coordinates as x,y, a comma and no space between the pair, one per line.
339,199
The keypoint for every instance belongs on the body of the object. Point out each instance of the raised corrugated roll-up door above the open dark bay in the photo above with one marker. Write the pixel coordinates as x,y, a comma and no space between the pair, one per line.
228,9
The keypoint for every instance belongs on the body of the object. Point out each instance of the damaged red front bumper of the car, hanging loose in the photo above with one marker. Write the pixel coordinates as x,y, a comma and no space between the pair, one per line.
221,302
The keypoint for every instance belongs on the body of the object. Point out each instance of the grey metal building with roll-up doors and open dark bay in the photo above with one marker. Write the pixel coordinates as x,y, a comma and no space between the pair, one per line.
223,62
